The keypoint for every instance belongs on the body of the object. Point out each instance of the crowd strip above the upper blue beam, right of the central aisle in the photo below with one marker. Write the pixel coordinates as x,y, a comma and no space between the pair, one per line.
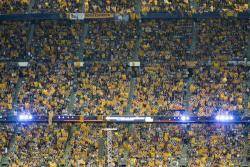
196,6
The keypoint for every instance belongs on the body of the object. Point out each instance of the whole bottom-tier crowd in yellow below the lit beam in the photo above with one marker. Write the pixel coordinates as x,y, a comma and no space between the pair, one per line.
139,145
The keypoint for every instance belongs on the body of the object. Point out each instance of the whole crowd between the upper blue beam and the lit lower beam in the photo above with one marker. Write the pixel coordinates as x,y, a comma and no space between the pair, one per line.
168,75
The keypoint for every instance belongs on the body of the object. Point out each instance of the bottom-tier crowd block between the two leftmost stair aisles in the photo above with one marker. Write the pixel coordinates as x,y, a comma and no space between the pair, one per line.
39,145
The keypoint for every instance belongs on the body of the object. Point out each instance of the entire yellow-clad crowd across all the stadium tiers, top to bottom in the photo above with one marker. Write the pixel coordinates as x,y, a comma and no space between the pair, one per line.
161,84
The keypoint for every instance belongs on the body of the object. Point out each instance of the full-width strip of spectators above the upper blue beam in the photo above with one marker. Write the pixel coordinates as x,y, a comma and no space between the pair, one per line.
122,6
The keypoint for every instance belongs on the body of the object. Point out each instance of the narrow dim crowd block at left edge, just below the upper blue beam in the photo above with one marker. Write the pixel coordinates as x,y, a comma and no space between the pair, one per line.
13,40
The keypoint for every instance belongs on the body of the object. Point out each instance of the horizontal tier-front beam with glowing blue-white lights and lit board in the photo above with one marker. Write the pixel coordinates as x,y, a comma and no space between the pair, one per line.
125,119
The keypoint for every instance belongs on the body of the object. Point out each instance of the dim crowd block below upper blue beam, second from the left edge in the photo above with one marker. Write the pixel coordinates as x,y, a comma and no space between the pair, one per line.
53,41
